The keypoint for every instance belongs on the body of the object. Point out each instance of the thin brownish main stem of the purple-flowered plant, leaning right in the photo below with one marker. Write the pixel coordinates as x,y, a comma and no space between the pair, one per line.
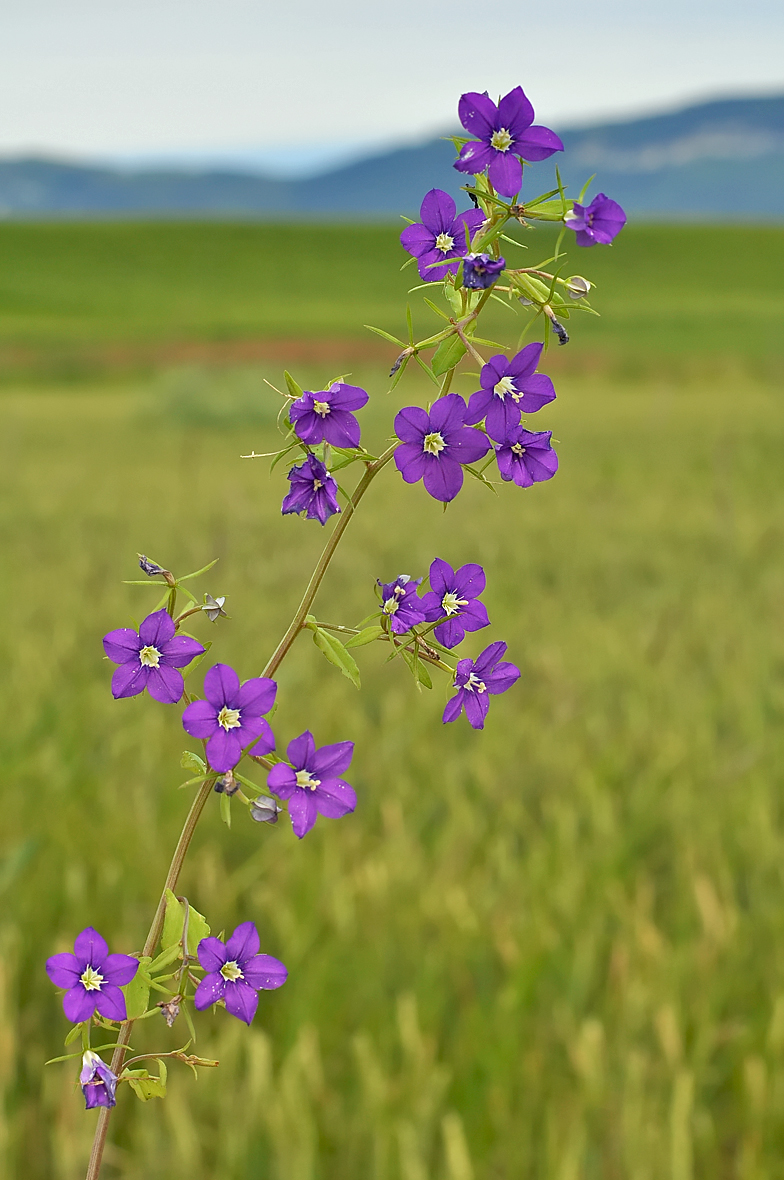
198,807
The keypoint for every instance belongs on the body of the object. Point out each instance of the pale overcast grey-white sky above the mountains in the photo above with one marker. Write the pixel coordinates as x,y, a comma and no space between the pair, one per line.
305,82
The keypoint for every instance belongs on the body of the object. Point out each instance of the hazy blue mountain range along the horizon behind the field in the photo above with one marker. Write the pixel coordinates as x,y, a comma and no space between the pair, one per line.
720,160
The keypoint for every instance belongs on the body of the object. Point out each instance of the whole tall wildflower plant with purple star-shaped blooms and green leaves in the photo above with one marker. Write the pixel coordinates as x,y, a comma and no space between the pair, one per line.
423,619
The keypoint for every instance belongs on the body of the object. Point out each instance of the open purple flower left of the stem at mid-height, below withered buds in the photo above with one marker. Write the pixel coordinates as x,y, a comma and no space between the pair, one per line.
151,659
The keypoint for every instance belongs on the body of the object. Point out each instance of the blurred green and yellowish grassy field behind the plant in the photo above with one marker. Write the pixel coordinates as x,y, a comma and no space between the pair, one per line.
553,950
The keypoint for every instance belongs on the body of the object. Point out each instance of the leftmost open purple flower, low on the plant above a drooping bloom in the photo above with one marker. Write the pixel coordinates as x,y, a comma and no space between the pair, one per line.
93,979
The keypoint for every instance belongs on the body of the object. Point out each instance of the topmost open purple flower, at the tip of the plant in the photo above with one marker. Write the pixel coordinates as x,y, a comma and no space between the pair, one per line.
505,134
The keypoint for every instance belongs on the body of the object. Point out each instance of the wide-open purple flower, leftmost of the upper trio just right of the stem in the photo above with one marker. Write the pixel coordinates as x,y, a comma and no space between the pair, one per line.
436,444
